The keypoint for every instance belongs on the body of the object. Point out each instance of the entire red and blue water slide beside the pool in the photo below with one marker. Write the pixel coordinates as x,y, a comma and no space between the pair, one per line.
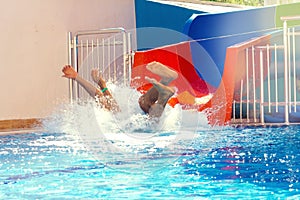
208,63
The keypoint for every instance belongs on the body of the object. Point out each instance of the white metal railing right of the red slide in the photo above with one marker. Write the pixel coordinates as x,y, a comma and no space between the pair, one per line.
269,93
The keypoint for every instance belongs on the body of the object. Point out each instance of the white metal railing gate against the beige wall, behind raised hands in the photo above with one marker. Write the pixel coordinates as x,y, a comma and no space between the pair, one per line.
109,50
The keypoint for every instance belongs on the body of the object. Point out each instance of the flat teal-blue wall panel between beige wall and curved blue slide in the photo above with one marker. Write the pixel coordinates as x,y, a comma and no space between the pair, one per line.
160,24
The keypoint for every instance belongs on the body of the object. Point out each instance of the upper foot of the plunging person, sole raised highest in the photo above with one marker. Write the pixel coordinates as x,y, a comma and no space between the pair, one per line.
167,75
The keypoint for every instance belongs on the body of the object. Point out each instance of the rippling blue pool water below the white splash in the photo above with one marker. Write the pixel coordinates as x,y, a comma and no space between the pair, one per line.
228,163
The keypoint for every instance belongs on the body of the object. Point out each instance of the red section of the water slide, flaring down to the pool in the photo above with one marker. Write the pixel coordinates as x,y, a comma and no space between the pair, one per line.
178,57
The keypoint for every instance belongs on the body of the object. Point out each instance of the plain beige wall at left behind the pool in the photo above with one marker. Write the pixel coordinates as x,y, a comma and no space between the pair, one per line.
34,48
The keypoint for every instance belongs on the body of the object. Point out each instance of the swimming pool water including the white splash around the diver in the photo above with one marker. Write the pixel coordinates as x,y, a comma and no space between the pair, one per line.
132,159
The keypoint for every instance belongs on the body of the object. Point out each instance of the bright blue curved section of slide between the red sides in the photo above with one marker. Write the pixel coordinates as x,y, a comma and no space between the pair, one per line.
215,32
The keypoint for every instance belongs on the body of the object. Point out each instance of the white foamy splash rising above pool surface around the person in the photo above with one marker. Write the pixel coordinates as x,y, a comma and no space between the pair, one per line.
86,116
